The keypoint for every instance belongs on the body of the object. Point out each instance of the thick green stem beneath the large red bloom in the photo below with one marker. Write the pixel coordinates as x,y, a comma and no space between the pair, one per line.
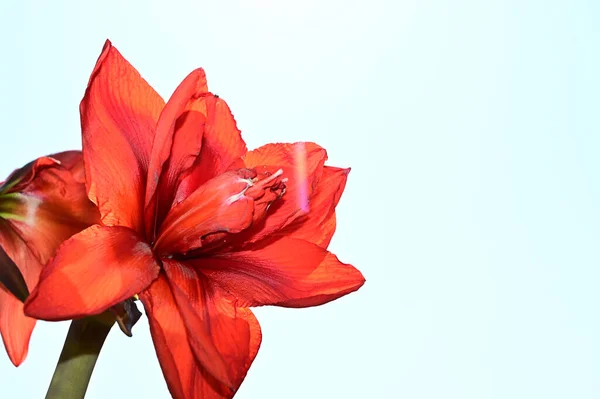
78,358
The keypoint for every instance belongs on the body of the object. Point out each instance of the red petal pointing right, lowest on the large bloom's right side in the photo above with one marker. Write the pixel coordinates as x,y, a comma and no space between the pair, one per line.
275,274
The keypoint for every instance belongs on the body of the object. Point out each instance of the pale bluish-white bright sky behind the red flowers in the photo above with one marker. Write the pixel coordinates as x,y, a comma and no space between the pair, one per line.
473,206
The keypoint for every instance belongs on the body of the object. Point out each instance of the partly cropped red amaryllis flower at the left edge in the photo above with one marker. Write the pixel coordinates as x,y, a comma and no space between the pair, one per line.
41,205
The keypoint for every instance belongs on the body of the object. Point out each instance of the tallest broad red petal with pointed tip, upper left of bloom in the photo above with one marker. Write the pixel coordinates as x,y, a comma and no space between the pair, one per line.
118,115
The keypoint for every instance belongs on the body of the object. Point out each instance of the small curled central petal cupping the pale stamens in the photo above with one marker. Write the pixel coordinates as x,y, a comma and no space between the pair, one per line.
218,206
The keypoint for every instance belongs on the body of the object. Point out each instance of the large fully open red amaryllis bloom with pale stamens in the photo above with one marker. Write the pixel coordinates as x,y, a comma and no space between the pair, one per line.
196,225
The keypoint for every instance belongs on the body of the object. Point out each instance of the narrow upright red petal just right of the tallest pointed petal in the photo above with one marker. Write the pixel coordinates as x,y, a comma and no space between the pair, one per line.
178,141
